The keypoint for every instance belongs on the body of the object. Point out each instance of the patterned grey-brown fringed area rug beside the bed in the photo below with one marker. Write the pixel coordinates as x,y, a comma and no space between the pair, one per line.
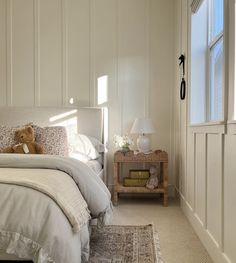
125,244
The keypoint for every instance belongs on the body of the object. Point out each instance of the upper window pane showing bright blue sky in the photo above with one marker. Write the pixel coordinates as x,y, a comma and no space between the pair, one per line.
217,17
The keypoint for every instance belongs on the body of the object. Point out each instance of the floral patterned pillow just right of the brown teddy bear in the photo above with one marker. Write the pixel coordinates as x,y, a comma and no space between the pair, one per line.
54,139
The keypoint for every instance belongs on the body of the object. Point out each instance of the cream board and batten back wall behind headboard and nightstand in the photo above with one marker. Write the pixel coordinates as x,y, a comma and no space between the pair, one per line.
54,50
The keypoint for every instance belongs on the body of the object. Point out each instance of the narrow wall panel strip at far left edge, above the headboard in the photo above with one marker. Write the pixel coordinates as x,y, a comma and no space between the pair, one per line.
3,54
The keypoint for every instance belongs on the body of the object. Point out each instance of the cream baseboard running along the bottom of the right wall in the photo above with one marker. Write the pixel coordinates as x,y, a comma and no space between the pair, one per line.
214,251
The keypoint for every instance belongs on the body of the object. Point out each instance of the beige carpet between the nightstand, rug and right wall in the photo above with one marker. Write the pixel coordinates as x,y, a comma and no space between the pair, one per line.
179,243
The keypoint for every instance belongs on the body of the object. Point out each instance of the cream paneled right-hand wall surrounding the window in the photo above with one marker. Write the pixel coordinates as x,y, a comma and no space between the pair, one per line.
206,166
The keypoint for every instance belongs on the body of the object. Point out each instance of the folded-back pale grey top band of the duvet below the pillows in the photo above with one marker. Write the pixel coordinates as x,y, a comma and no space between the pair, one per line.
94,191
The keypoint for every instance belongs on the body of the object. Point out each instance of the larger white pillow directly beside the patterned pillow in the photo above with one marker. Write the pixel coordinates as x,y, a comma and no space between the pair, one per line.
80,143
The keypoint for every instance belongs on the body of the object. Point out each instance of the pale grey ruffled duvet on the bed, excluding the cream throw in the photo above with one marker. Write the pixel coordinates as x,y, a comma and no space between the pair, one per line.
32,225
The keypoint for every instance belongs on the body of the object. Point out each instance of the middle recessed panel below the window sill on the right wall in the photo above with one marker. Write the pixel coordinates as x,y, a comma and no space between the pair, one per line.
214,186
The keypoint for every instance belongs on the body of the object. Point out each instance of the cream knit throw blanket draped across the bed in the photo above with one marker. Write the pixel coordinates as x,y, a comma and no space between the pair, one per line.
57,185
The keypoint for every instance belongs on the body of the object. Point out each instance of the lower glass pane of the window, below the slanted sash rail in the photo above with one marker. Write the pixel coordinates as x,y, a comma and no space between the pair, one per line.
216,81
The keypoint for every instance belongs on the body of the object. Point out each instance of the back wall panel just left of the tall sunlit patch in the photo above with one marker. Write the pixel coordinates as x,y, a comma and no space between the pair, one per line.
78,26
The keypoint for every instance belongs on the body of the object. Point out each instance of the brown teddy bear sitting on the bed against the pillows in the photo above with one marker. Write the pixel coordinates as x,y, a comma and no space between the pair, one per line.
25,140
